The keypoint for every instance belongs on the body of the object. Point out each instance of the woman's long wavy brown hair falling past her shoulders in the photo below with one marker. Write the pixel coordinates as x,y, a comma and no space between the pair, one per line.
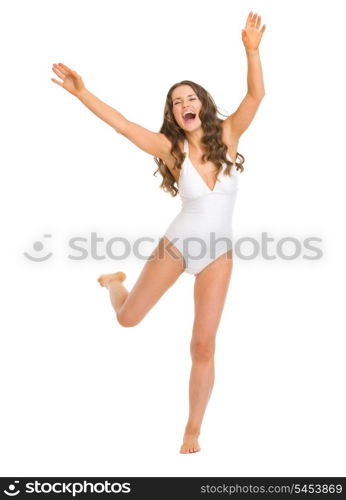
216,150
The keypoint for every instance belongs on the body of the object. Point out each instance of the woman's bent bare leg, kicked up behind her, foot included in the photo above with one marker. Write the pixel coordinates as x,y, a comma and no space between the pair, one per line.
159,273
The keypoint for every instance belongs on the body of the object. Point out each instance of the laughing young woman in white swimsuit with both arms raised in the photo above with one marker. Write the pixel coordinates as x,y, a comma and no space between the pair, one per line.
197,151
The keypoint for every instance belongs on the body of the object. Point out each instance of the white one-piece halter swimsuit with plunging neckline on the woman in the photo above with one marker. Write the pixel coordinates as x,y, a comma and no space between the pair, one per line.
202,230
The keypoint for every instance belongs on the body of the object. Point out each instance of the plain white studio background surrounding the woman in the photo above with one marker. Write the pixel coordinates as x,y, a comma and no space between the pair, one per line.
82,395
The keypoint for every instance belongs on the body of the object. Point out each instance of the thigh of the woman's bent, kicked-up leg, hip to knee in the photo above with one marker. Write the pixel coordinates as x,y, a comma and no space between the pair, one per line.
161,270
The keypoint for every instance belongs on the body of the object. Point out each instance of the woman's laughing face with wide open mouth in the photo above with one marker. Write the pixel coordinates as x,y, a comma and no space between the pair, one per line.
185,101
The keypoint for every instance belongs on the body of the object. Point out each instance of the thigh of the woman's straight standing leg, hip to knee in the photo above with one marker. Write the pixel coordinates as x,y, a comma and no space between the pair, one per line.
210,291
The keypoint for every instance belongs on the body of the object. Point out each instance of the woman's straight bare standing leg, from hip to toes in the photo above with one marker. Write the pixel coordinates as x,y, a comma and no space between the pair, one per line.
211,286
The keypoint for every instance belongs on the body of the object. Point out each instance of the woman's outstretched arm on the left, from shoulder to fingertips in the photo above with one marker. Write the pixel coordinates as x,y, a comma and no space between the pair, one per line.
156,144
